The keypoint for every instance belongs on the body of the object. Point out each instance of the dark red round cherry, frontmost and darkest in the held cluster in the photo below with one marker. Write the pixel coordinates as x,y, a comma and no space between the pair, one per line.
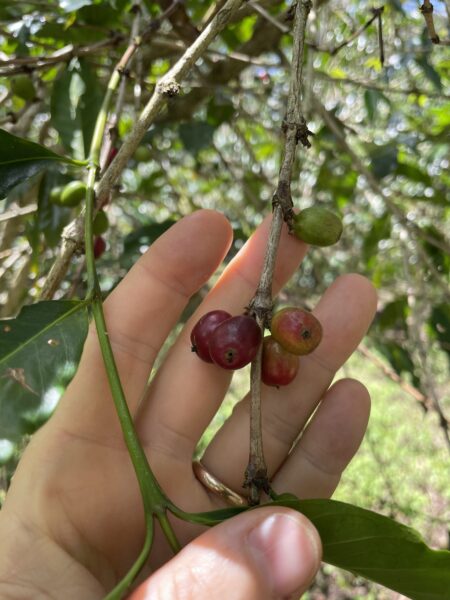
235,342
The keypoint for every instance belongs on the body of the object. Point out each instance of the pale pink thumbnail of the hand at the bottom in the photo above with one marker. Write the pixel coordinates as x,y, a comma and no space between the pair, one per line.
287,551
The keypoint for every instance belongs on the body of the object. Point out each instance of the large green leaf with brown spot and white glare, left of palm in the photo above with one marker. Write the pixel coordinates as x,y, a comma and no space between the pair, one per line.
39,352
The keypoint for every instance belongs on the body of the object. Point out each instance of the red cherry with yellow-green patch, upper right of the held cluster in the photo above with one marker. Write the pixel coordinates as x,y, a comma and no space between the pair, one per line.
297,330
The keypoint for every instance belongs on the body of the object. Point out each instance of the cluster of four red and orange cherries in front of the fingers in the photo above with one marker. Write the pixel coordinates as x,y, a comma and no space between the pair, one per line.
233,342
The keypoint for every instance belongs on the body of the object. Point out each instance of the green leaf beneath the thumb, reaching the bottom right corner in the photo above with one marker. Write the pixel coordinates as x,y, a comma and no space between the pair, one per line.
365,543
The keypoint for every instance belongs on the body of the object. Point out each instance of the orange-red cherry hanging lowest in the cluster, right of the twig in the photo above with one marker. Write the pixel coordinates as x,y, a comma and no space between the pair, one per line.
279,367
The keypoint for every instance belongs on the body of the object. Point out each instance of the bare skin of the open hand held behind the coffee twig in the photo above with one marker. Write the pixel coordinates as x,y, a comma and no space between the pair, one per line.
72,522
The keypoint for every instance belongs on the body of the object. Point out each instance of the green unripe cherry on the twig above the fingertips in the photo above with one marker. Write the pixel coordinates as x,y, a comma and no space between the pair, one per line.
317,226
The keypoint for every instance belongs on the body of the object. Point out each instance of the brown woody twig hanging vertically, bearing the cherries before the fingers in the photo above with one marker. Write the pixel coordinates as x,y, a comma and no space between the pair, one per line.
295,130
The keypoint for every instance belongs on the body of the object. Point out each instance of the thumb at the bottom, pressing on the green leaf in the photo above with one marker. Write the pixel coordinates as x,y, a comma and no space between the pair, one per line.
262,554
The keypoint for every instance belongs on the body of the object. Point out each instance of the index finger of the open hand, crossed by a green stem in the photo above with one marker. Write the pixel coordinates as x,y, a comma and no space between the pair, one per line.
140,313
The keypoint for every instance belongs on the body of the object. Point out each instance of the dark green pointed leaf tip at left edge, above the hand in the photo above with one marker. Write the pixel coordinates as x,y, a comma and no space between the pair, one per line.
20,159
